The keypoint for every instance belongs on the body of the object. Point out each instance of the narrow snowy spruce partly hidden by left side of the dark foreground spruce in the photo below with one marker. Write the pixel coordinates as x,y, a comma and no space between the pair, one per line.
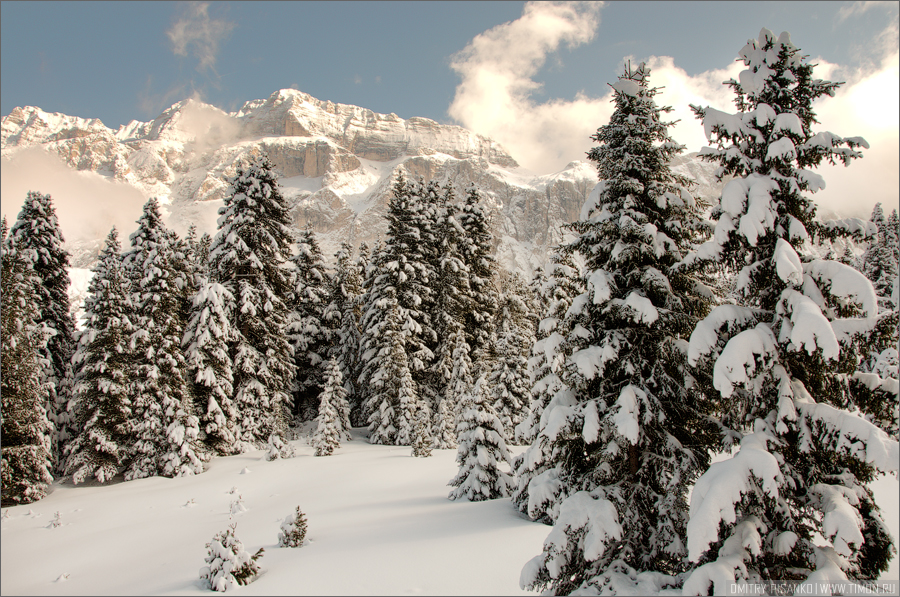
538,491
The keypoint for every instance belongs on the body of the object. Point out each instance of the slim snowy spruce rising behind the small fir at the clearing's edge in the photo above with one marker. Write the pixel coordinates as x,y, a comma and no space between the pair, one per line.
513,339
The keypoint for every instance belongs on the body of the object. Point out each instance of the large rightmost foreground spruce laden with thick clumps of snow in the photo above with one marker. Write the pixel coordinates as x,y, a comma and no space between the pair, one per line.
781,358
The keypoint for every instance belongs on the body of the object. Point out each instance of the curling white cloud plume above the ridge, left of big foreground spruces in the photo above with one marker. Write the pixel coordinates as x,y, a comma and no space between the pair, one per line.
495,95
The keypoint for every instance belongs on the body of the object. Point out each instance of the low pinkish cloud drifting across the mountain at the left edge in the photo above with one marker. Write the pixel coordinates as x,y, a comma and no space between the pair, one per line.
87,204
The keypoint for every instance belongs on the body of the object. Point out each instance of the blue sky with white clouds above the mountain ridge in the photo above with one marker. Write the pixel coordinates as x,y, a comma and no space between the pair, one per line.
533,76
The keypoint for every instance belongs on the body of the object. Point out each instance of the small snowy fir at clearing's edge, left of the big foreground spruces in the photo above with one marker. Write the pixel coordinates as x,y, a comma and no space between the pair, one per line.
481,451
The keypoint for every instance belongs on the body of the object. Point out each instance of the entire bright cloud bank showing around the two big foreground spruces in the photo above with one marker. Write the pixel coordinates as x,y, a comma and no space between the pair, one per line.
494,98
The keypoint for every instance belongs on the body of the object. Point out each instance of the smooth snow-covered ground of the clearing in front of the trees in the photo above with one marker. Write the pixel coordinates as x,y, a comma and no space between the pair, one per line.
379,521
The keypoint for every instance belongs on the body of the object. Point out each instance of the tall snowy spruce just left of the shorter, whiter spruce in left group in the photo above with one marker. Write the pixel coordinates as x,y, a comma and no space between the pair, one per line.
165,426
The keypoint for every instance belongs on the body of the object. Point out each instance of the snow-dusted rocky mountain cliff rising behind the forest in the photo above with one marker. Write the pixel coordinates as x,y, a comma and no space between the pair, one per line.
337,163
